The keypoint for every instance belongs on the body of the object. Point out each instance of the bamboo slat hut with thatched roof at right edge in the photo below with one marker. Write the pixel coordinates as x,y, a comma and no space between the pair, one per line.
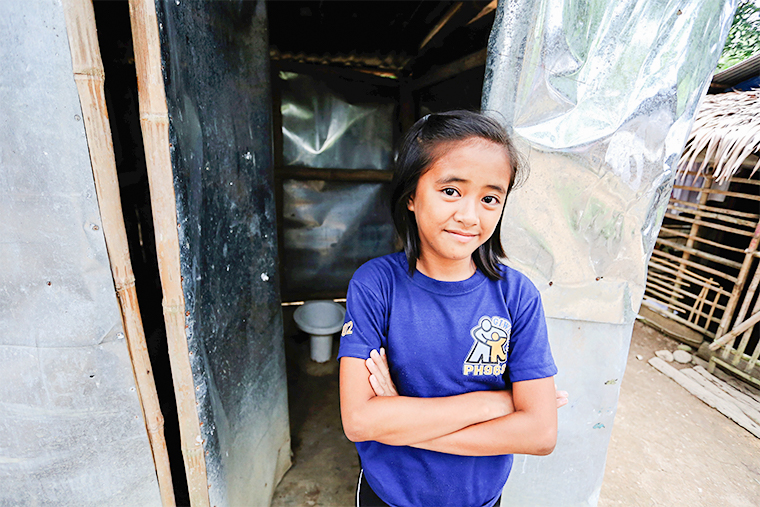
703,276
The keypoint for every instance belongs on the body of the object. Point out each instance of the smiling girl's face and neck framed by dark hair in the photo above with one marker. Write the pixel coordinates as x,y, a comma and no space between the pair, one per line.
457,205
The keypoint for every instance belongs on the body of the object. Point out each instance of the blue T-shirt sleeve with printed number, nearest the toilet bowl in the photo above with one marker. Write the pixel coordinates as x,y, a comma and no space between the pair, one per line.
365,324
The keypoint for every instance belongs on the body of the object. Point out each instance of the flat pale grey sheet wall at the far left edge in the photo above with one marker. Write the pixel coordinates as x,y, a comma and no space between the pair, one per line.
71,427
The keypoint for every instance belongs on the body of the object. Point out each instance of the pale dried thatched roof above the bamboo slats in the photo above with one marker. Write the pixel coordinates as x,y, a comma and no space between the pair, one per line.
726,131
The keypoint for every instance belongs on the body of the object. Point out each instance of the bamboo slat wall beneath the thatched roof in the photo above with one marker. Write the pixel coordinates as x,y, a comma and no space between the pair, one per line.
704,257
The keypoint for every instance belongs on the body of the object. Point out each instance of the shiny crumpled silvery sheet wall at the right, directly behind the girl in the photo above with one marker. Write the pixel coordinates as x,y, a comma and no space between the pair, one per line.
601,96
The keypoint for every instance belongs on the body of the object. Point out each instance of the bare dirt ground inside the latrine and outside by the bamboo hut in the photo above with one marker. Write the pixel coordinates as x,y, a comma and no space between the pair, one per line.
667,447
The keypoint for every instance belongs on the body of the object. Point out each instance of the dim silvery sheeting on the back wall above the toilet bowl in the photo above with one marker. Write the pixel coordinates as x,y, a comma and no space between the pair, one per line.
332,228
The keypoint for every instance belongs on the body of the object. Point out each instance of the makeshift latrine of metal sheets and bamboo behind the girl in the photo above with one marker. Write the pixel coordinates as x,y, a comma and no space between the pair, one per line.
234,140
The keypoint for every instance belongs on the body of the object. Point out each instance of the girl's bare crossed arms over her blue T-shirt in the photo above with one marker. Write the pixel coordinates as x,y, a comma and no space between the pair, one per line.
481,423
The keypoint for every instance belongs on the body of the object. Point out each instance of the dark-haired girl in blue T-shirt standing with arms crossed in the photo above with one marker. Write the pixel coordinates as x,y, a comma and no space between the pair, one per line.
468,376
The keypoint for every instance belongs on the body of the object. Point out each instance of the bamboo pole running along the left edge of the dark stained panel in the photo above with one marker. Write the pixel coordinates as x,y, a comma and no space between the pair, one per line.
154,120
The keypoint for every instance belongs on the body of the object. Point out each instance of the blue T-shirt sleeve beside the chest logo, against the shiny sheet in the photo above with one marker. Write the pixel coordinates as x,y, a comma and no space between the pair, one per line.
530,356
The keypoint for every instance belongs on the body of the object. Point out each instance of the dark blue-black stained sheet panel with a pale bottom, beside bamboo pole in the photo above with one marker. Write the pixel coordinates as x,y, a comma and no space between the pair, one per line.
216,58
